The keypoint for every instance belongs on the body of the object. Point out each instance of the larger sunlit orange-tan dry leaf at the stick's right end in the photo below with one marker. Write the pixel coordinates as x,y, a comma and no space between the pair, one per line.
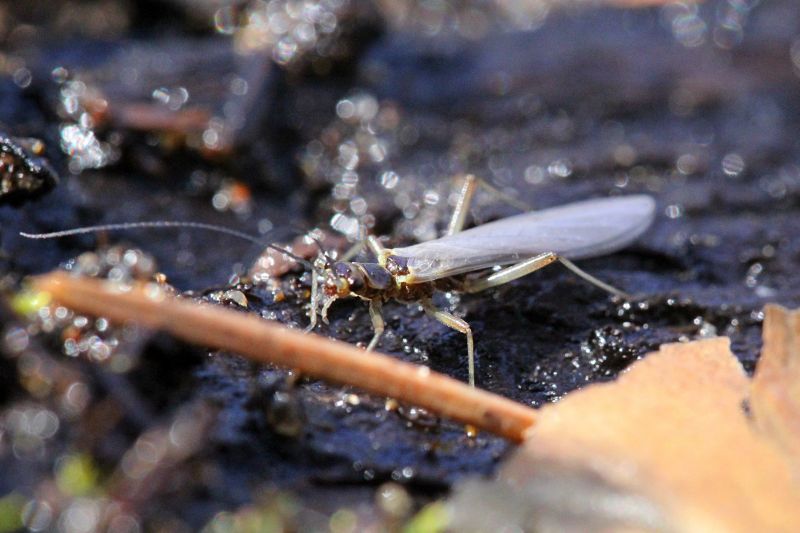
672,429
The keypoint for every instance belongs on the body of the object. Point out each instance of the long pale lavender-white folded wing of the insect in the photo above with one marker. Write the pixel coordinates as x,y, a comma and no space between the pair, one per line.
582,229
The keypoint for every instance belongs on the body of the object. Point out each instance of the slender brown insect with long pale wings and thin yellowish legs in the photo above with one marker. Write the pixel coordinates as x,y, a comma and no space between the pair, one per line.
458,261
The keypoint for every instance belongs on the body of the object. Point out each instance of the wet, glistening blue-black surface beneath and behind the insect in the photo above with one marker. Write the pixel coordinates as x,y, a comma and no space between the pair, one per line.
593,103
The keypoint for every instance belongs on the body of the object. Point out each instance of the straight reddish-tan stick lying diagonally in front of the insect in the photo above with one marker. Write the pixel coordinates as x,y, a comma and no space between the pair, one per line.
269,342
